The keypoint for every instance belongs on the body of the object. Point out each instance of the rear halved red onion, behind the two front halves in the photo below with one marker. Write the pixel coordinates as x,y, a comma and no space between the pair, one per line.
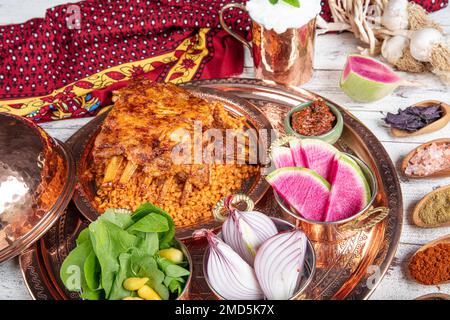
245,231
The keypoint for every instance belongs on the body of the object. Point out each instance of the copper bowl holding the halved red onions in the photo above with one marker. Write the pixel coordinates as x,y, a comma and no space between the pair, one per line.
308,270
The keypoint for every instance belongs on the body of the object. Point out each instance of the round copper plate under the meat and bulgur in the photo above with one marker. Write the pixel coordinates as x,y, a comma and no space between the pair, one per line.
82,143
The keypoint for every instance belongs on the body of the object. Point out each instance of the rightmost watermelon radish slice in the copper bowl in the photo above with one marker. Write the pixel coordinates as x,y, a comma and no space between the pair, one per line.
350,192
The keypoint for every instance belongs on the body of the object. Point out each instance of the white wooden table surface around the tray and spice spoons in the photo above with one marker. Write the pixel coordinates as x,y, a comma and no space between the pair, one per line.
331,51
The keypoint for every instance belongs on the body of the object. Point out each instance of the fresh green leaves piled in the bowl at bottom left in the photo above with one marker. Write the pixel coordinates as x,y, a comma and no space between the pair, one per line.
119,245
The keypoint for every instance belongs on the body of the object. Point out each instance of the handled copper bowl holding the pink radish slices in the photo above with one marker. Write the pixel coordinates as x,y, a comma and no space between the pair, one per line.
335,231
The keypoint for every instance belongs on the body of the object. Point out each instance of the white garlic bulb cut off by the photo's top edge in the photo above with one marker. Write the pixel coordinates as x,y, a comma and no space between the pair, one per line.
395,15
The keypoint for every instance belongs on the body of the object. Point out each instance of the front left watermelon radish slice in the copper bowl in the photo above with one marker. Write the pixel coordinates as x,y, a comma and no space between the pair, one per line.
303,189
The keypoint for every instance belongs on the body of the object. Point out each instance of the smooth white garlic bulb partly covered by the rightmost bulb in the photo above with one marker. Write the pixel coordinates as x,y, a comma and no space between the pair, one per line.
423,42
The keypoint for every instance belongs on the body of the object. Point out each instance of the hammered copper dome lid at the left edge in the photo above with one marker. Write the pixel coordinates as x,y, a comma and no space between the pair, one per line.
37,176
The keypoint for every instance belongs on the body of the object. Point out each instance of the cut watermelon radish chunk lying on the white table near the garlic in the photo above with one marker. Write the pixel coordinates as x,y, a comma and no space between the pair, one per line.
365,79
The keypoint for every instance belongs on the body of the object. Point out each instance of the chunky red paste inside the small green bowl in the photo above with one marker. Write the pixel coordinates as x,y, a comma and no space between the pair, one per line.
314,120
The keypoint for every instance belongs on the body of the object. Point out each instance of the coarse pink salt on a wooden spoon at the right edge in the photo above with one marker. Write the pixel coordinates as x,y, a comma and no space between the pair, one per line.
430,159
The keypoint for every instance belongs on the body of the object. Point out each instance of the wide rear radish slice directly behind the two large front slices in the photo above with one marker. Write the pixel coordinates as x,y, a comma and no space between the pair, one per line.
318,156
